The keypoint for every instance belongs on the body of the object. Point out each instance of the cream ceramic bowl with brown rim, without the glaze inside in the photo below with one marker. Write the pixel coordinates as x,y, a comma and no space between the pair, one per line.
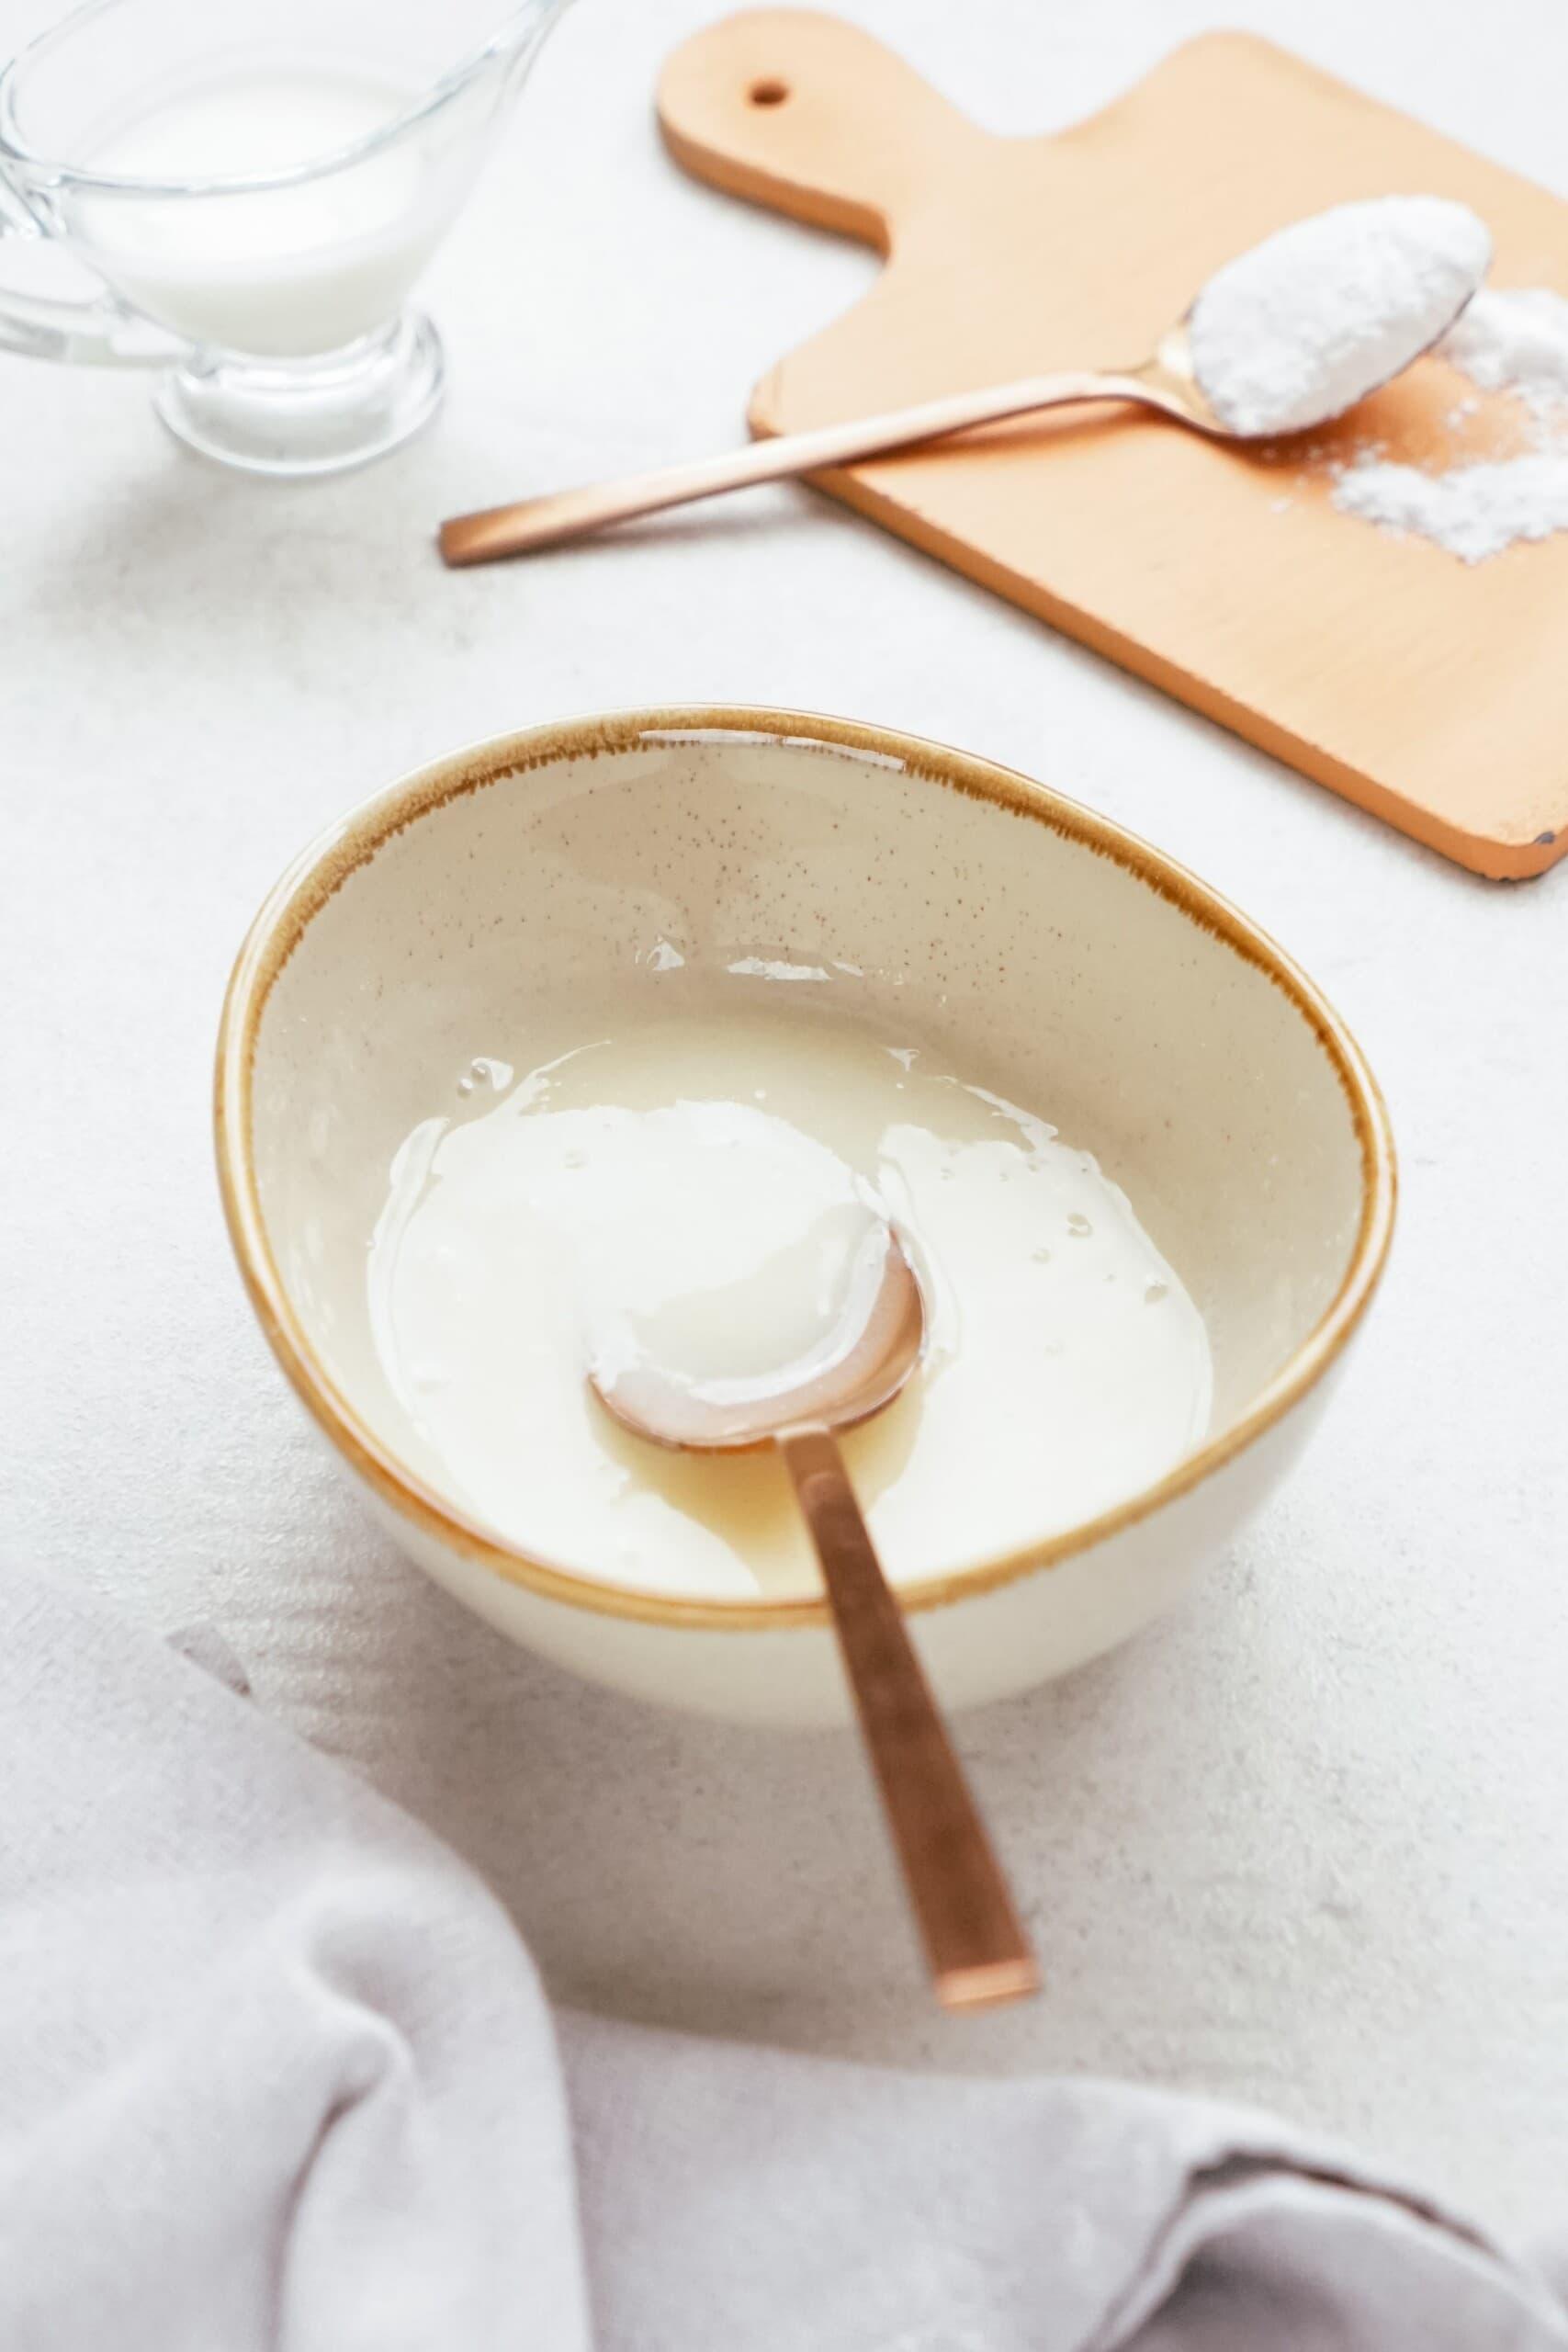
1141,1013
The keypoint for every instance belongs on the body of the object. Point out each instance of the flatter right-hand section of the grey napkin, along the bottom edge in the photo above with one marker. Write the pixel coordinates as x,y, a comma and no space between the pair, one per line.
831,2205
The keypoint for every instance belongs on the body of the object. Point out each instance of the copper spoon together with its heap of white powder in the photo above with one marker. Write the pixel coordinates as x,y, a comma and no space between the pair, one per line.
1285,338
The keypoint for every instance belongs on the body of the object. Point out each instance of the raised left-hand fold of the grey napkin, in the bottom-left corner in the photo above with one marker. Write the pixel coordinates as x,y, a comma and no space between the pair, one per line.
274,2066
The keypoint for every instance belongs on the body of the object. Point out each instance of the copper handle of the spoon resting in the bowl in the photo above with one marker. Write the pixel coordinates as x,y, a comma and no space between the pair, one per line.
972,1932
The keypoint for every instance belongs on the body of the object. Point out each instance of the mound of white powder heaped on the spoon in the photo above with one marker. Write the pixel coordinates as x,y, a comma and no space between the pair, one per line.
1325,312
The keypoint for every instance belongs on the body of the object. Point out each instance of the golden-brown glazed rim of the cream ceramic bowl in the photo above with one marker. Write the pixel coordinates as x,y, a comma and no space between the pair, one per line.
323,869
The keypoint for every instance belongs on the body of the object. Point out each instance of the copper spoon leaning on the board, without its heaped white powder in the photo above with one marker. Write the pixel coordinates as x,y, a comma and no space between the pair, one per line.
1167,382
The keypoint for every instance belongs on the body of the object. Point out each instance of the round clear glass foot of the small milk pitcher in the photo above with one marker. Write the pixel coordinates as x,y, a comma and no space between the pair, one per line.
309,415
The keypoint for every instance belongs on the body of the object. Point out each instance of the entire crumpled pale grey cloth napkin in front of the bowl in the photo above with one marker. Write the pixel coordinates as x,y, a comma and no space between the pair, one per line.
276,2071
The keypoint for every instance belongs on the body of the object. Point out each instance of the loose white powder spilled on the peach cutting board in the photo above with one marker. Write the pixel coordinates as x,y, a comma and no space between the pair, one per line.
1506,342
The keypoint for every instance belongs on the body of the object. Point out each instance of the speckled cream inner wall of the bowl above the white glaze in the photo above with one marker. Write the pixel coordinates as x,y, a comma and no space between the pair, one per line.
1066,965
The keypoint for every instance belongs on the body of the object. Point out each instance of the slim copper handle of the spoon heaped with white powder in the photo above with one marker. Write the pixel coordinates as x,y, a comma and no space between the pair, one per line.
575,514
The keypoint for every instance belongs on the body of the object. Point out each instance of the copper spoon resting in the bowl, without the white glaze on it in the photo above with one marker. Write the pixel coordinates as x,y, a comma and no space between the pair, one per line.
974,1939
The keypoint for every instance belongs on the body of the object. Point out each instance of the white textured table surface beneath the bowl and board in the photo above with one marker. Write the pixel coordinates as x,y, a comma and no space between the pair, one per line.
1308,1840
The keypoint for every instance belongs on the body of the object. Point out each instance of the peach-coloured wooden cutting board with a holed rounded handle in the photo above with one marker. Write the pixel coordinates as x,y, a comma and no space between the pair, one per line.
1428,690
